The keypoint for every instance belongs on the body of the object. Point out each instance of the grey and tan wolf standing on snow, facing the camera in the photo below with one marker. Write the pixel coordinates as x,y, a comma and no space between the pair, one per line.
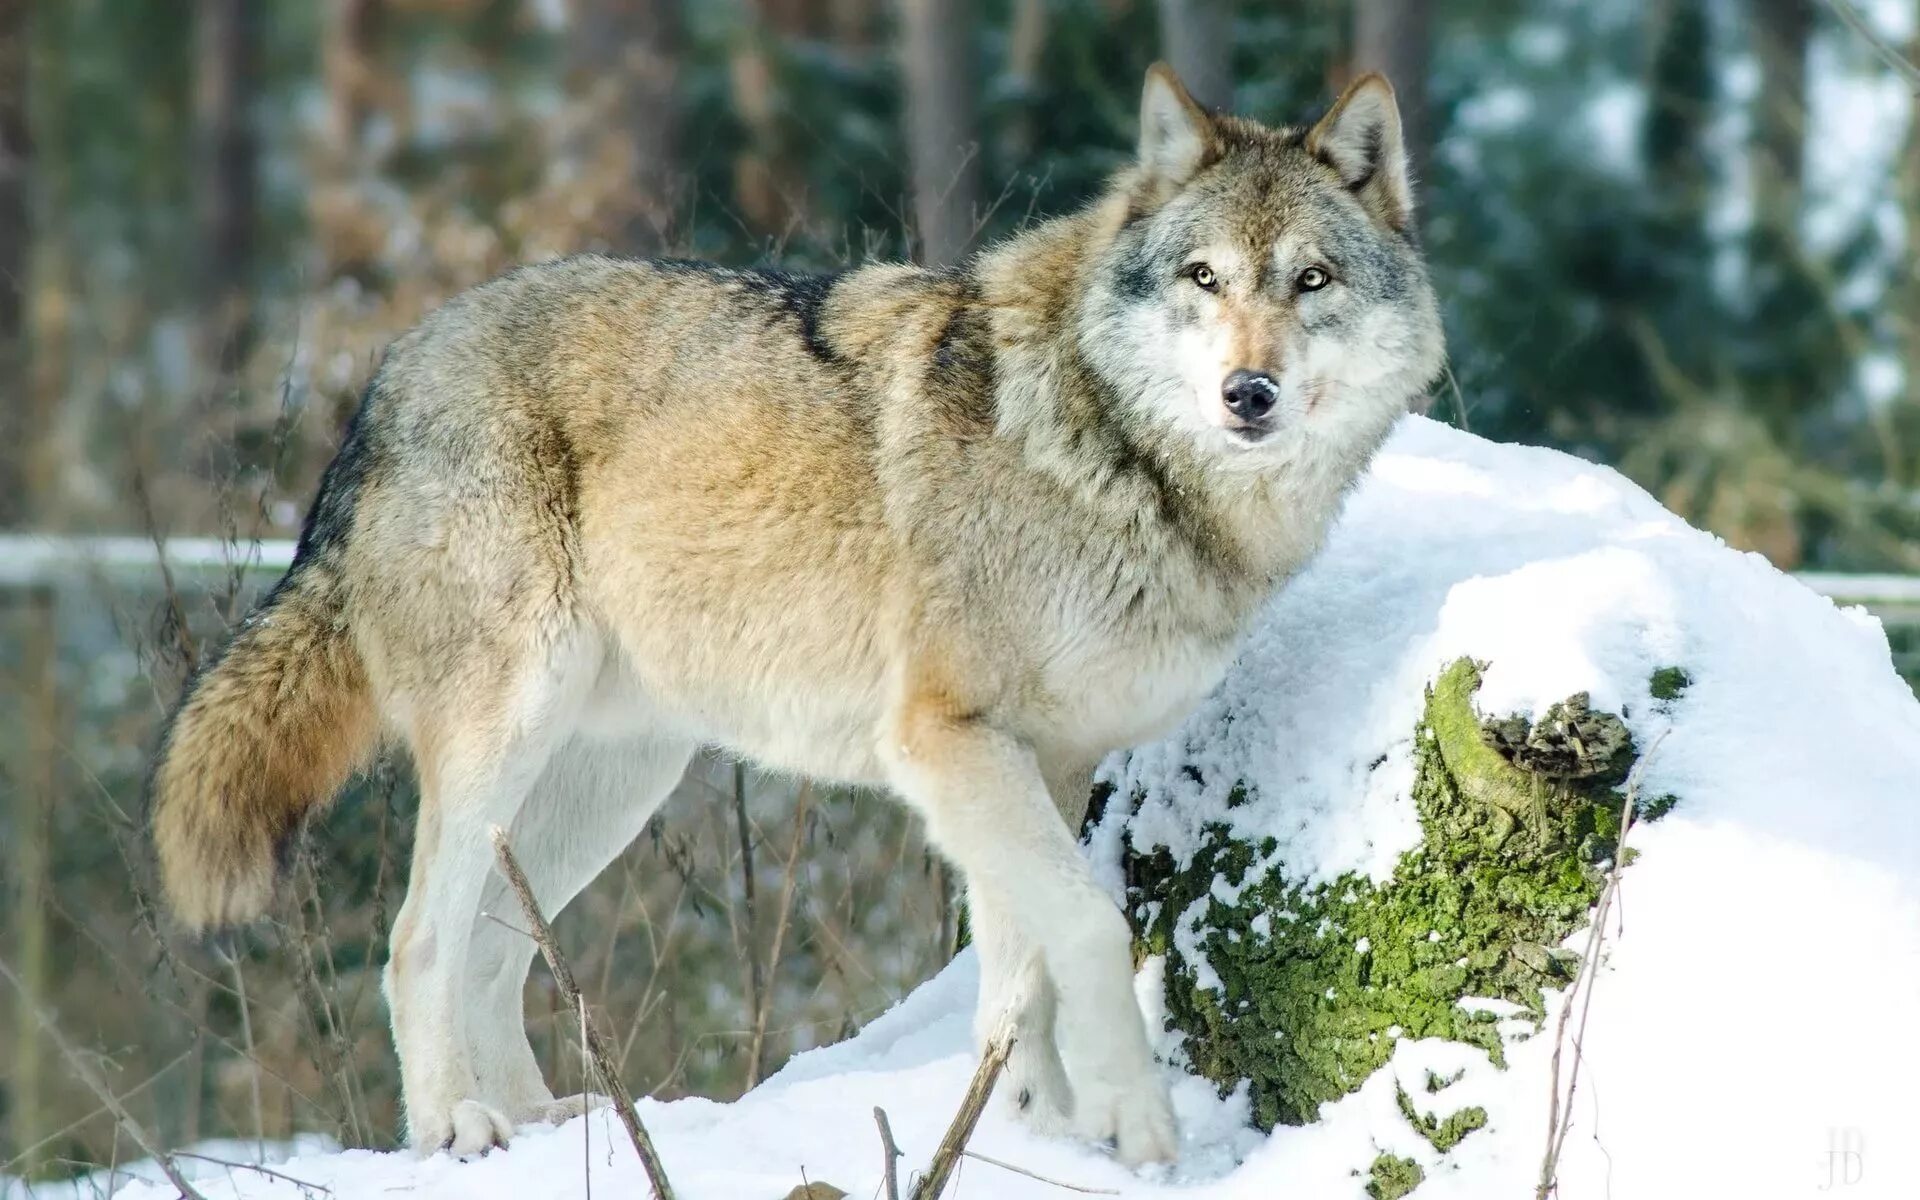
955,533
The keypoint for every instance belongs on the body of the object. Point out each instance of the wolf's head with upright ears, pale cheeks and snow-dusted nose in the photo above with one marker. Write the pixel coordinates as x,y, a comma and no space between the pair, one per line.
1264,293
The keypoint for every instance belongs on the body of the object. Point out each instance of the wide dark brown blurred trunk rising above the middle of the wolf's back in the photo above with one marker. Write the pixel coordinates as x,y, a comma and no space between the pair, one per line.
625,57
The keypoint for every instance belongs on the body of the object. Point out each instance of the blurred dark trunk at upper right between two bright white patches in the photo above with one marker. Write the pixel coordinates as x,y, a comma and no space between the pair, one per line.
1781,36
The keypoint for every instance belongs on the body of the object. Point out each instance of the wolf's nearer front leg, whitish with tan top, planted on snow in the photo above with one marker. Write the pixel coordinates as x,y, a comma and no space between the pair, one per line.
990,811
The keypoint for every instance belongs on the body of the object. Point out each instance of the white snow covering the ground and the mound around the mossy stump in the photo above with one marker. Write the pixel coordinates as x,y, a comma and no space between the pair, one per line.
1756,1028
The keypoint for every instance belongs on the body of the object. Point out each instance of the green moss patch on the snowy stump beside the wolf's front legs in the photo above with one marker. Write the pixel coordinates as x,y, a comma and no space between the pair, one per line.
1320,980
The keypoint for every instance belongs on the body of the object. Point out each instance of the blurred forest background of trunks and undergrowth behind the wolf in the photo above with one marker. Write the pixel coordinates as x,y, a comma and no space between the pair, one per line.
1669,235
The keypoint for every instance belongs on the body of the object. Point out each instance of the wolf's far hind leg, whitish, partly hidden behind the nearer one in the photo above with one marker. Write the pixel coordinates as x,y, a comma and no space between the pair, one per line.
590,804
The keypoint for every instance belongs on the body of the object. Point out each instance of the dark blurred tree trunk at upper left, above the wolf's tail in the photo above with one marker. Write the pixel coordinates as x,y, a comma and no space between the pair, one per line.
228,49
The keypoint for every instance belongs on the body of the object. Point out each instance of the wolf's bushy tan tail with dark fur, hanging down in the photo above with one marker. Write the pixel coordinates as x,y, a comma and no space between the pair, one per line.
264,734
